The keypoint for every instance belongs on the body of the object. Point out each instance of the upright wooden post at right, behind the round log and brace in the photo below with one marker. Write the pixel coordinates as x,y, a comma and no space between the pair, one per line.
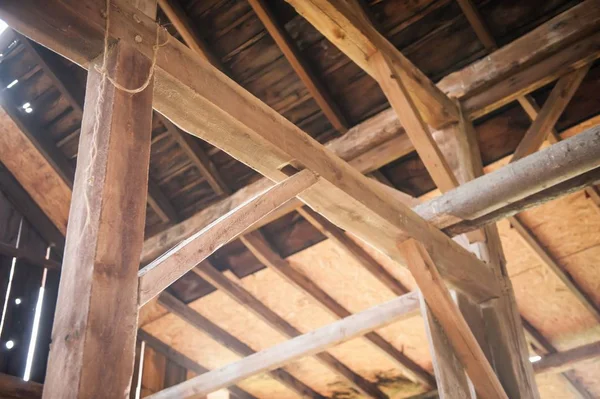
496,325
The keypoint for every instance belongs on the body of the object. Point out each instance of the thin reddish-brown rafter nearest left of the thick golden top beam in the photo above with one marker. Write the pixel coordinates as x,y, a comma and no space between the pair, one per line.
292,54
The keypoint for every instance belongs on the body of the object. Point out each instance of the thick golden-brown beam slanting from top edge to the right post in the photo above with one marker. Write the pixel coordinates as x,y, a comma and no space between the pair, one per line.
346,26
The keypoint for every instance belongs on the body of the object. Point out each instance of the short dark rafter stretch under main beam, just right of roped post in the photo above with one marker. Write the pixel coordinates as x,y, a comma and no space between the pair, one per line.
199,158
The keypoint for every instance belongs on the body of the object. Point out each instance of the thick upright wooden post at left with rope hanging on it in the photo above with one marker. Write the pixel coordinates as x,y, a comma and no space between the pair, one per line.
93,340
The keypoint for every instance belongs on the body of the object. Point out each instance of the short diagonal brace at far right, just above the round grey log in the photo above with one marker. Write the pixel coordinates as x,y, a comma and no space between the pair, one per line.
554,106
